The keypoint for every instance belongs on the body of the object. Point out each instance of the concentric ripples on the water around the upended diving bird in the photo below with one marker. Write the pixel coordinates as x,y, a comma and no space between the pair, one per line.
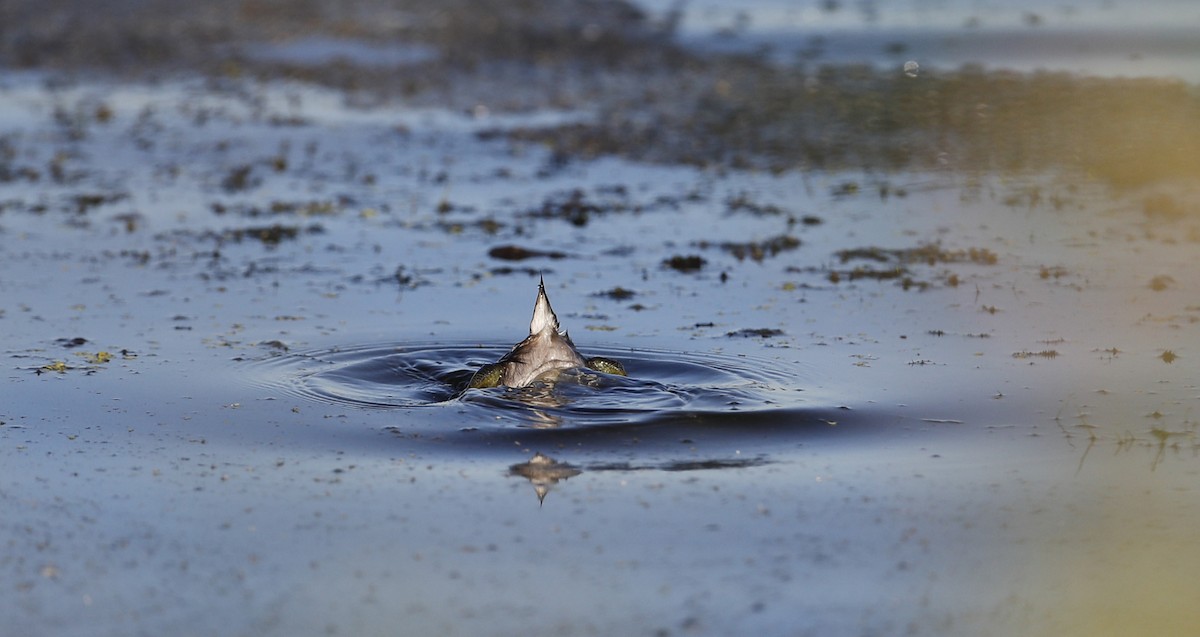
662,386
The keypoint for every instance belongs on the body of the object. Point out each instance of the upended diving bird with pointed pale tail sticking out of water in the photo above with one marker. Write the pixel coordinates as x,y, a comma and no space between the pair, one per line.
542,356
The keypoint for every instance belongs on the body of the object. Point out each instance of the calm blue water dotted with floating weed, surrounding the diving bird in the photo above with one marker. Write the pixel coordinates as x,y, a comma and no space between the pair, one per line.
903,376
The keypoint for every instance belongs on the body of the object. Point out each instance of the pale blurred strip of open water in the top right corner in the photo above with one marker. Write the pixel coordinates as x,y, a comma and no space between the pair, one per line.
1106,39
